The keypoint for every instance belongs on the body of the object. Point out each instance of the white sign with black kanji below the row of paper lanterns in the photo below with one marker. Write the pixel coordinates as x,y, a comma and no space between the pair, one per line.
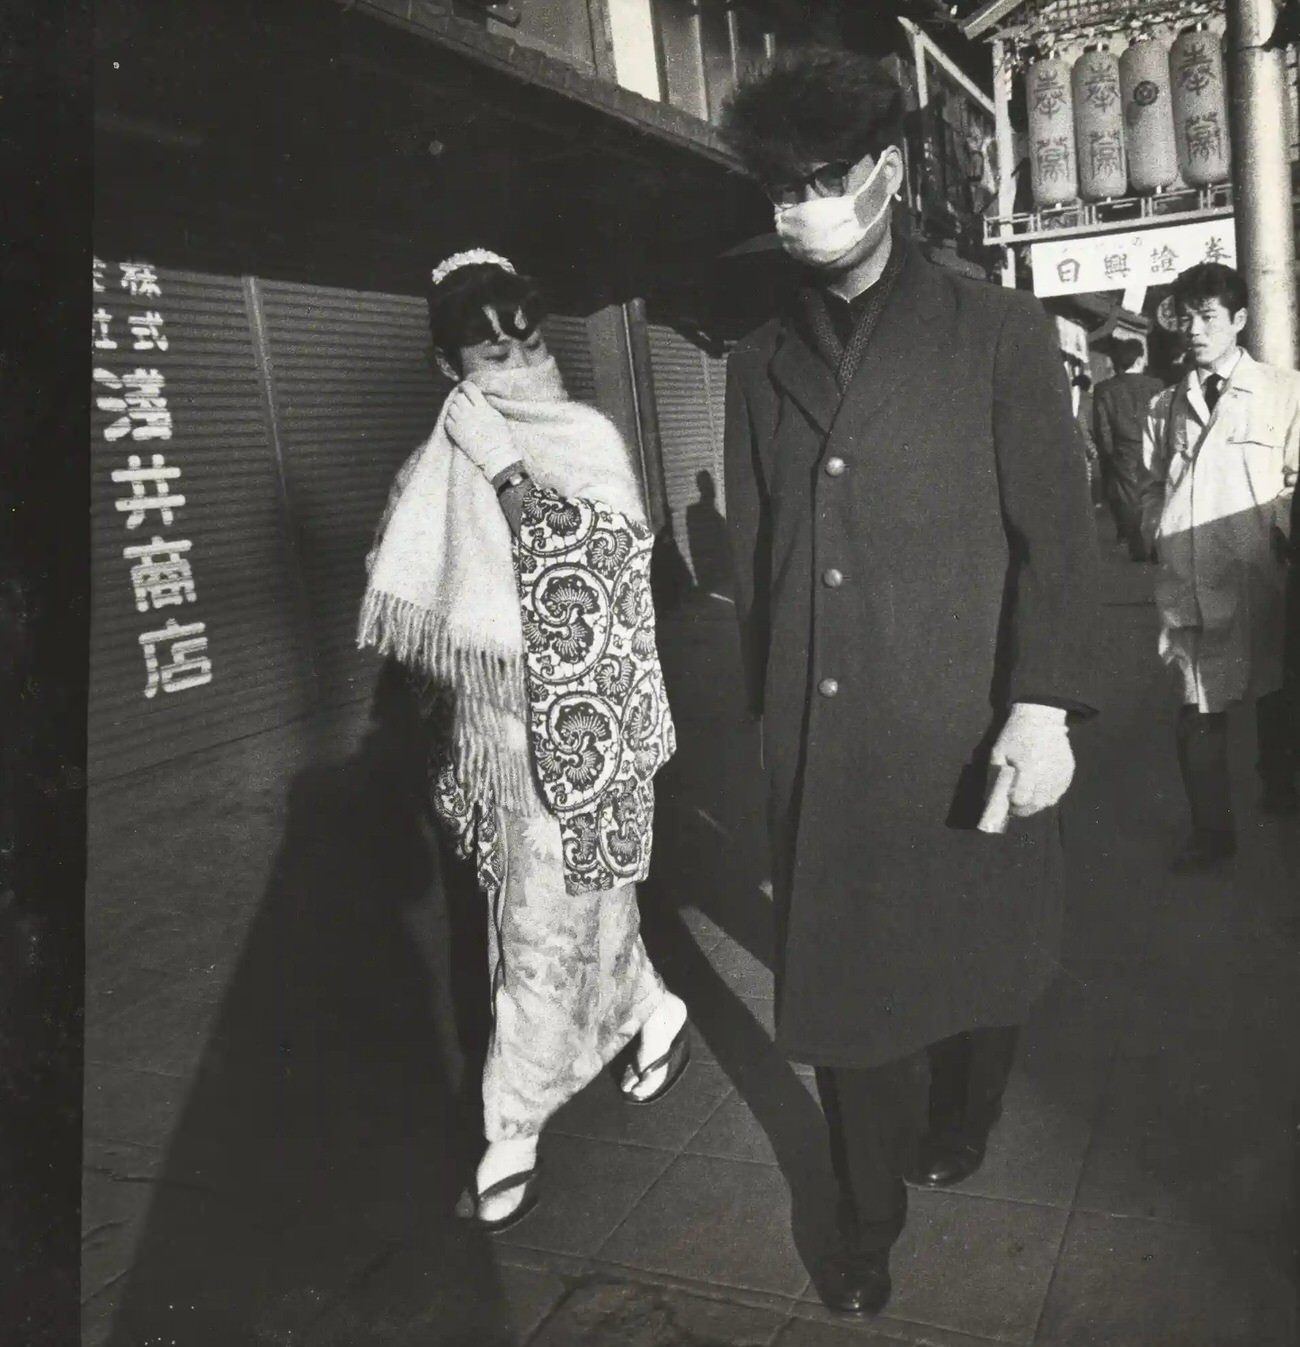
1138,259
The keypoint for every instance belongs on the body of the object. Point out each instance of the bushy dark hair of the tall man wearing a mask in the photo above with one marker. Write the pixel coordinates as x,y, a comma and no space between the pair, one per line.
814,106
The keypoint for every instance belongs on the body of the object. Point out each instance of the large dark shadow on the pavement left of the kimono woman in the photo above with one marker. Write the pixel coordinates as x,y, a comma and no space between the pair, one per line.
309,1187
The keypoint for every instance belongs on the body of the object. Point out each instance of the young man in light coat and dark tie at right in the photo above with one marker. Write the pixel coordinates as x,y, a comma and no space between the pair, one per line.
1223,449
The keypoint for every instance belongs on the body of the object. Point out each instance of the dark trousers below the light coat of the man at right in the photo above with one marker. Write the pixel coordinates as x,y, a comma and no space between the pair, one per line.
1202,740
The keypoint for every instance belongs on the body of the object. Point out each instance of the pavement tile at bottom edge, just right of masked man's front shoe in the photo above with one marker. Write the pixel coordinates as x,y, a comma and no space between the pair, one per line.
973,1266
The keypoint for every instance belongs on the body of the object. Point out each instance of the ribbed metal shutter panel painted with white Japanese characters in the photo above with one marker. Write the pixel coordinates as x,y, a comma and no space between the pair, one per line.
232,519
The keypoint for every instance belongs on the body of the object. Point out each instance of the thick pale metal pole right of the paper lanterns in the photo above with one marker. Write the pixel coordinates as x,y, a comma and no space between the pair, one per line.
1262,176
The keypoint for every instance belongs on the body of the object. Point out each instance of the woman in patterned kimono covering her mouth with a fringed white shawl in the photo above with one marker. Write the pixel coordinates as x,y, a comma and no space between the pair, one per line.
513,577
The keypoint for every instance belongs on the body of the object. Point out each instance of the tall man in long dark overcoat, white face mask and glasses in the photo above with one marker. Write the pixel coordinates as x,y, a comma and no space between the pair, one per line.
915,562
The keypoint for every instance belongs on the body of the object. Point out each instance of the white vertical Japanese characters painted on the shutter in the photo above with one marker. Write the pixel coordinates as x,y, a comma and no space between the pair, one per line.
130,372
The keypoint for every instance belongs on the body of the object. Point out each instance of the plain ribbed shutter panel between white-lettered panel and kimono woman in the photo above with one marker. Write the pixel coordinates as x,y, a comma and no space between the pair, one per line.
354,397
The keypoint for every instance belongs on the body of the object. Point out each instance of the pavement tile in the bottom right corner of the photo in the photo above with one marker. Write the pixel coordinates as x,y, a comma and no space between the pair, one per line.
1126,1283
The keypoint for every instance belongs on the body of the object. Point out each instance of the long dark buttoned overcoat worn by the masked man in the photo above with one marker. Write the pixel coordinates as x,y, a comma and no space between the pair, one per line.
913,557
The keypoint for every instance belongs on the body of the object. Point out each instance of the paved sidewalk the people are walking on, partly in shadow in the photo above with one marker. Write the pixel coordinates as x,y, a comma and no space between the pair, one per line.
278,1117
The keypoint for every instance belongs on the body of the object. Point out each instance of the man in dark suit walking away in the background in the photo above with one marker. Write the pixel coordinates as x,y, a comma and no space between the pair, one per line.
1119,418
